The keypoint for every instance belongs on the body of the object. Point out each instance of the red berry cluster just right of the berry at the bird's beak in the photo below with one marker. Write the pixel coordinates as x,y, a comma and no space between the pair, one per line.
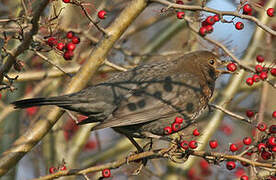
261,72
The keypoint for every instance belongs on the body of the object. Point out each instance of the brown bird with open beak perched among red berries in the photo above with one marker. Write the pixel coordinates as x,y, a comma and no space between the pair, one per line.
143,101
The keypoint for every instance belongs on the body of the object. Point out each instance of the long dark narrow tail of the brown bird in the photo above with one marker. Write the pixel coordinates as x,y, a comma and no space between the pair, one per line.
25,103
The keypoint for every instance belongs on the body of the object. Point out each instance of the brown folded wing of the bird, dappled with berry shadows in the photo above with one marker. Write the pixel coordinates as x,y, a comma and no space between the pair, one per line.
157,98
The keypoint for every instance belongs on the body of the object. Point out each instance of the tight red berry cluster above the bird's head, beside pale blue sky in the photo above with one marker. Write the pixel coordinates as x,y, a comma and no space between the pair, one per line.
207,25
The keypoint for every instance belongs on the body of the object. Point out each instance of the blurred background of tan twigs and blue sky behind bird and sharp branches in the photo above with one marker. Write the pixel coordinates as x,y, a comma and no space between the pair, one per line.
155,34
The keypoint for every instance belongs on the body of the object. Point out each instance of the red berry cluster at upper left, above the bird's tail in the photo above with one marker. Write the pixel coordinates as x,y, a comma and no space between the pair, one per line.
68,48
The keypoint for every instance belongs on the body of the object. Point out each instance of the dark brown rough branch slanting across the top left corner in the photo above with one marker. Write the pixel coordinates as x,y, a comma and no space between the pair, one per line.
26,41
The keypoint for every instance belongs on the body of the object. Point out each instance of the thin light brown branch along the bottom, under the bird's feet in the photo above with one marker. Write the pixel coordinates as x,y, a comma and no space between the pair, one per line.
160,153
